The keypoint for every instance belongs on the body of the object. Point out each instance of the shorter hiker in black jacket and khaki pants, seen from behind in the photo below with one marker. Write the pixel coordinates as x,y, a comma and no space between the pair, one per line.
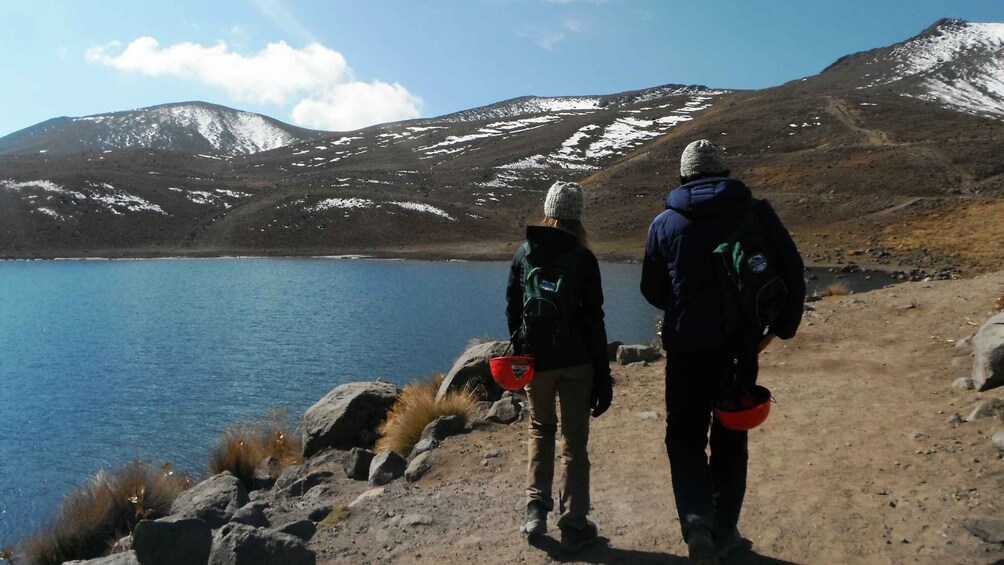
579,373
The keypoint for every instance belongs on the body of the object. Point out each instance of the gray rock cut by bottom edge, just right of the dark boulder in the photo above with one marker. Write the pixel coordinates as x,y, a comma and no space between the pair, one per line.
237,544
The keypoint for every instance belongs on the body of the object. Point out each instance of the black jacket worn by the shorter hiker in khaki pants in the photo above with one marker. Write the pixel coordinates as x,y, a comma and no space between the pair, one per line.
588,344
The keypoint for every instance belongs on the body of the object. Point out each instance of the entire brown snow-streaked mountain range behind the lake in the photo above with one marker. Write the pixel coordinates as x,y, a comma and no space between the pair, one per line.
861,161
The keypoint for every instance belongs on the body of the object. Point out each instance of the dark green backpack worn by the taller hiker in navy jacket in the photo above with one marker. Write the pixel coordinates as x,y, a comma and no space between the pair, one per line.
755,294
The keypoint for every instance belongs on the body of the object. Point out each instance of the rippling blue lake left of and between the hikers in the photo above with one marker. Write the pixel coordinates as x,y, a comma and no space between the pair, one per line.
106,362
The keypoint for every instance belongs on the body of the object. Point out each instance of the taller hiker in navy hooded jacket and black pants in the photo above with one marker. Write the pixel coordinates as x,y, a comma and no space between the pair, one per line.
703,360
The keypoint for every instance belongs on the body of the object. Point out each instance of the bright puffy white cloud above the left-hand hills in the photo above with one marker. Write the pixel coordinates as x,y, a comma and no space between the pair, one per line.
318,81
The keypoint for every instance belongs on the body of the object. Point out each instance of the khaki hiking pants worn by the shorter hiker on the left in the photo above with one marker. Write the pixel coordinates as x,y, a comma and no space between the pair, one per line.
572,387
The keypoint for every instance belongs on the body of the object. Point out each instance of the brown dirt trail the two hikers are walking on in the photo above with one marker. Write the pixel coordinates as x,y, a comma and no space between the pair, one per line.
856,464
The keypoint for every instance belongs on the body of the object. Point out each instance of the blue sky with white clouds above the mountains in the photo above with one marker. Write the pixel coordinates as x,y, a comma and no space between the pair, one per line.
344,65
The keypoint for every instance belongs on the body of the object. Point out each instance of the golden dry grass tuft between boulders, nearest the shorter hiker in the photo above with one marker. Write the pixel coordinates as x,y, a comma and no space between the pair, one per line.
418,407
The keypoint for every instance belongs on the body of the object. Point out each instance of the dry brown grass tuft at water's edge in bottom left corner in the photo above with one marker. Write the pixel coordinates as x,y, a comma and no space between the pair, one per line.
96,515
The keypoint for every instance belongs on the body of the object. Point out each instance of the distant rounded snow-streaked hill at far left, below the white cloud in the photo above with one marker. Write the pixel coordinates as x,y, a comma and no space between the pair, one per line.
192,128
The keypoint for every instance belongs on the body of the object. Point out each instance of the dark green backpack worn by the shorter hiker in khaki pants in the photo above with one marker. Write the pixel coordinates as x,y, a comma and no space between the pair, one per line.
550,301
